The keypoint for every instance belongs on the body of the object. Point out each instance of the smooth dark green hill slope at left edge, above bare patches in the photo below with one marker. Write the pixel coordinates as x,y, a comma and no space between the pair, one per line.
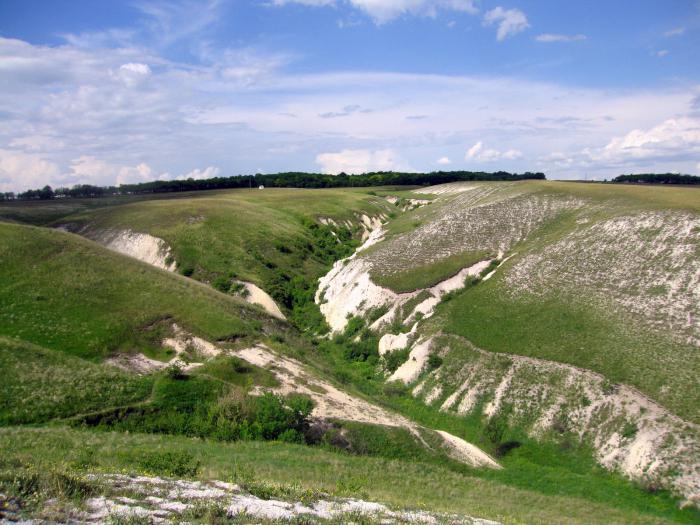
66,293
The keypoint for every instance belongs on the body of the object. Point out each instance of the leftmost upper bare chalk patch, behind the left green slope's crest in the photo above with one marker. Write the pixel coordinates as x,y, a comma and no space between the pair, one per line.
141,246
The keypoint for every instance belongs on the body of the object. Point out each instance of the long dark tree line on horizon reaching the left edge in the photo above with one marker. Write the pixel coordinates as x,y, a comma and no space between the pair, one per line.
274,180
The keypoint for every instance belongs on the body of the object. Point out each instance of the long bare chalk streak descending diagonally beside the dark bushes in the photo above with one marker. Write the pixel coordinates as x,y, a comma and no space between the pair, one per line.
332,403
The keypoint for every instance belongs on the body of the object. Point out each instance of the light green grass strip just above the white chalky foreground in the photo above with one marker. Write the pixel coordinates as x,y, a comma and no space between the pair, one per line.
395,482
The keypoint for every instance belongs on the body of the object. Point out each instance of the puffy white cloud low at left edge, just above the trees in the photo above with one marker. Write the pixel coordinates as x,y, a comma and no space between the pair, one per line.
20,170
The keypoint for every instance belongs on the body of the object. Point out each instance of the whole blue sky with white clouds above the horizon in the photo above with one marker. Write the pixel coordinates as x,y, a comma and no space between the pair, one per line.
115,92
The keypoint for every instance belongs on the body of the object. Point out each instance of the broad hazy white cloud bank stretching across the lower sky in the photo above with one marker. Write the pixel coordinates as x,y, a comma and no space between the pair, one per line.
64,103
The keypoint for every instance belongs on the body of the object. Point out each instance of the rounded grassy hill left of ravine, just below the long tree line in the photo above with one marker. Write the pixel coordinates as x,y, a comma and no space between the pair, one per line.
249,232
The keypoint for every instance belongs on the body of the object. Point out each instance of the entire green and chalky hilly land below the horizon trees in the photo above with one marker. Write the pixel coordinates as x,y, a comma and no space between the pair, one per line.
516,351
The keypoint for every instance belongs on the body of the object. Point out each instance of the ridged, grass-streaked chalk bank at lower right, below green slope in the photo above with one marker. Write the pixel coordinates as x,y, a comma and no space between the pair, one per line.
629,432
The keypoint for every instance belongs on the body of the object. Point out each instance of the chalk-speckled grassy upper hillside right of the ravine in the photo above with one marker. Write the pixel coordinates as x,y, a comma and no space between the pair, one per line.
589,283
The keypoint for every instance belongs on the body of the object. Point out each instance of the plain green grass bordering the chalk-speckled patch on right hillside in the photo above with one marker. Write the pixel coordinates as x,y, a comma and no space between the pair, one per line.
575,330
